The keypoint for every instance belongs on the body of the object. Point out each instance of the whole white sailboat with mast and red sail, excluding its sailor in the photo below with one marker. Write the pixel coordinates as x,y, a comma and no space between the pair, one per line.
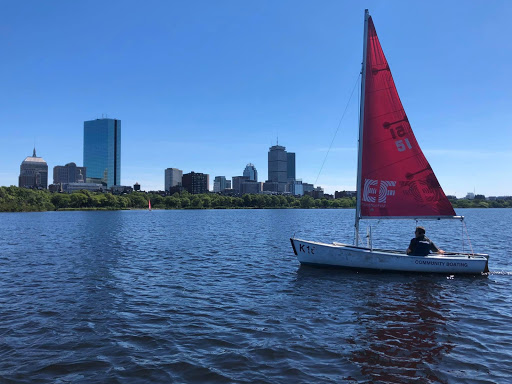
394,181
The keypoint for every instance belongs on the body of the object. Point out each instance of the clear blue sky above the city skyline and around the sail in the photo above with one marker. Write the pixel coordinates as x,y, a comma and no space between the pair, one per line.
208,86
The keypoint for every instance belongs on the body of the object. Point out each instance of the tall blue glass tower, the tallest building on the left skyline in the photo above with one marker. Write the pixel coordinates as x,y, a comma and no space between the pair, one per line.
102,151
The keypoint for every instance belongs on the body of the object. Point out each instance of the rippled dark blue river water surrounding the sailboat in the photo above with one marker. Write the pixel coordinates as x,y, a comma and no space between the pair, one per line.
218,297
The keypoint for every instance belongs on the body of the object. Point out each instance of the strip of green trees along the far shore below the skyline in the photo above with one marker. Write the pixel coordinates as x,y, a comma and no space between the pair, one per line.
14,199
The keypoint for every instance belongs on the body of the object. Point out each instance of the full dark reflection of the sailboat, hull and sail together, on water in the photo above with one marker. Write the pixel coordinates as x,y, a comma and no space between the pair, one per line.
395,325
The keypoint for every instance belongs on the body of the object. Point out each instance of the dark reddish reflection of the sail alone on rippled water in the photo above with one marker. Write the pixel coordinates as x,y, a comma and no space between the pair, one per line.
399,335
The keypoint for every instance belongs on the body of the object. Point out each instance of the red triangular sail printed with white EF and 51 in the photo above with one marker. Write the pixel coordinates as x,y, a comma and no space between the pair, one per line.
396,178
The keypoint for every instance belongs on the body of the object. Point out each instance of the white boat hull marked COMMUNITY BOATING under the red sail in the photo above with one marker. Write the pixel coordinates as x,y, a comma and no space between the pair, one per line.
348,256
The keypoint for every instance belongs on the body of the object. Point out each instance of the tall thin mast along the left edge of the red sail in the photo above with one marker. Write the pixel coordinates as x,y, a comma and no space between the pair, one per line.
361,121
